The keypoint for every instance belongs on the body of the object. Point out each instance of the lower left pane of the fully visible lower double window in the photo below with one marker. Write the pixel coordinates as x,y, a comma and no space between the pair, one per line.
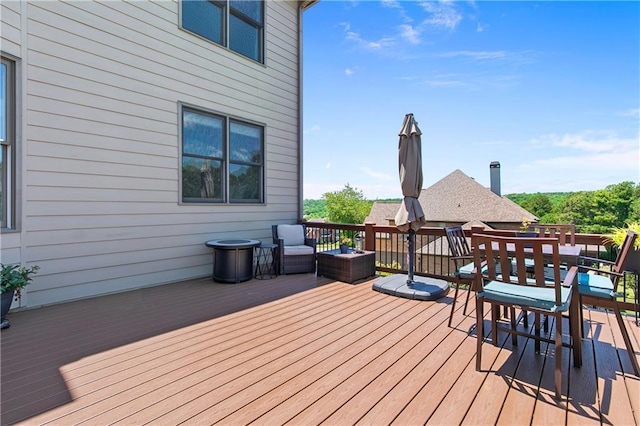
201,179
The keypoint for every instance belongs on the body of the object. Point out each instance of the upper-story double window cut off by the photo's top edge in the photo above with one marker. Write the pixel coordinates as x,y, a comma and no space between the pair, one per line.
236,24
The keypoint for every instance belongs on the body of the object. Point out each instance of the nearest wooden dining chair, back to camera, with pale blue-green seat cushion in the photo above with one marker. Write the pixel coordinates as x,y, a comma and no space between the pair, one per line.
530,291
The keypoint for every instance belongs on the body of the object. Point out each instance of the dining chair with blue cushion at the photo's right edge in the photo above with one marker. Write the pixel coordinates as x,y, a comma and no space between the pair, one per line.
600,288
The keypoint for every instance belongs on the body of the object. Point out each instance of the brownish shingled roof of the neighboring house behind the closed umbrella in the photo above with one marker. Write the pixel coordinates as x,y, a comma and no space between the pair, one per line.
457,198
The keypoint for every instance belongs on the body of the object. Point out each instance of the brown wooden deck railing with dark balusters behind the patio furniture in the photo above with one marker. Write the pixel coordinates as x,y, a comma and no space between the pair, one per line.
432,252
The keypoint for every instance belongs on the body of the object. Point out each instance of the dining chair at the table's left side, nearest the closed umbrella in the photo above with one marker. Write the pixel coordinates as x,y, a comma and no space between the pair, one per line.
463,260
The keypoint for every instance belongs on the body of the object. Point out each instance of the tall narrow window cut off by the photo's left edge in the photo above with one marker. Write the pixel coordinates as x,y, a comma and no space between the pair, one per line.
7,141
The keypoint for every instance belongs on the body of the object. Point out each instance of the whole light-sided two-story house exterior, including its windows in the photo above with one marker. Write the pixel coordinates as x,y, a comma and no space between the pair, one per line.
132,134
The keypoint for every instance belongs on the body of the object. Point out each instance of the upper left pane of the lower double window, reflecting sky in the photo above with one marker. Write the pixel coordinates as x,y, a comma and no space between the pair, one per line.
202,134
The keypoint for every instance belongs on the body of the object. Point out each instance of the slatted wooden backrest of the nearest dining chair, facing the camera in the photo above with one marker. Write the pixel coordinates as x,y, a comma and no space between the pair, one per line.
493,254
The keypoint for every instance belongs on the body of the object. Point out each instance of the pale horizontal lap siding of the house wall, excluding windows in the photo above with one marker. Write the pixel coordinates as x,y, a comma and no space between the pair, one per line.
104,81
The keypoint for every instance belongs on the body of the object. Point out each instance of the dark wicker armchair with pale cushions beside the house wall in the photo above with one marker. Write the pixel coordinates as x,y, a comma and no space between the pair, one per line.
296,253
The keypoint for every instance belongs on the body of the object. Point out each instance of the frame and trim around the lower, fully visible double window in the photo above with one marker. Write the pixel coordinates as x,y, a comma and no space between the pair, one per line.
226,119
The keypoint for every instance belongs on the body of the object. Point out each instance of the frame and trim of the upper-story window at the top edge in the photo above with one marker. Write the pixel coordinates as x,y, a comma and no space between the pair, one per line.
227,10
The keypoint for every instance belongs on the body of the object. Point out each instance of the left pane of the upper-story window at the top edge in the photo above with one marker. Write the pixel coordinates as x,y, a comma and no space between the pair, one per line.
203,18
